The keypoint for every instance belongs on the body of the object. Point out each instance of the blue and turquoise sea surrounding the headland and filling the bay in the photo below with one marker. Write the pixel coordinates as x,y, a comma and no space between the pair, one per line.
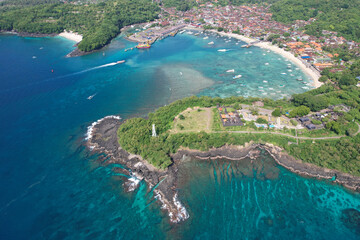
53,188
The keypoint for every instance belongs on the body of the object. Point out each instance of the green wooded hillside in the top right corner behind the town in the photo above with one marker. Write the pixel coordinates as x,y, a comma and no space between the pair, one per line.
336,15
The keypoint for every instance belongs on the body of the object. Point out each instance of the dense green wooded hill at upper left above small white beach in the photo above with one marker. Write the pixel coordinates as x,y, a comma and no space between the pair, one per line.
98,23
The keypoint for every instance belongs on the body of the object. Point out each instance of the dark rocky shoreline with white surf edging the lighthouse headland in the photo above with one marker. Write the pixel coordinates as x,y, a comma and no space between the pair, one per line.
102,137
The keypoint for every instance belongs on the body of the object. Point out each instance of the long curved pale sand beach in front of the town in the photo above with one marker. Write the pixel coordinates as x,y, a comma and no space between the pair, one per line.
305,67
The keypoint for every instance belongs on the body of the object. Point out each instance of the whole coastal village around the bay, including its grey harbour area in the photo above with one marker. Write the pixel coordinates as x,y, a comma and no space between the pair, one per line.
255,22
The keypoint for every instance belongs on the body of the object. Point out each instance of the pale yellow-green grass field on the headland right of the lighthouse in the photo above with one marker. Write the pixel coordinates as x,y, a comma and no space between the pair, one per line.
196,120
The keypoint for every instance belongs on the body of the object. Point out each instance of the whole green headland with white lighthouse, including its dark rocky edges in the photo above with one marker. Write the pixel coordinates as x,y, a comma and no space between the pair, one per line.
307,135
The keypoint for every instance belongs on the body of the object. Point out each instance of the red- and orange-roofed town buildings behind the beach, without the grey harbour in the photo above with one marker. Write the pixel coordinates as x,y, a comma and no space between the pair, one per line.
256,22
